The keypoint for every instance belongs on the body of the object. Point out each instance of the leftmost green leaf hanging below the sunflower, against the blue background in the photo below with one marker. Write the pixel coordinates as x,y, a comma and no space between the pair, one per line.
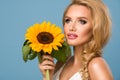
25,51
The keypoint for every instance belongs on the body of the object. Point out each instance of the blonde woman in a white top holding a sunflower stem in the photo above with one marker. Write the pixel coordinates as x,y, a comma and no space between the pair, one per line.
87,28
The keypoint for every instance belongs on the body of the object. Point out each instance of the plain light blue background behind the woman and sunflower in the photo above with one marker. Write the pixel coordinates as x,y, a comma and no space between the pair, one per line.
17,15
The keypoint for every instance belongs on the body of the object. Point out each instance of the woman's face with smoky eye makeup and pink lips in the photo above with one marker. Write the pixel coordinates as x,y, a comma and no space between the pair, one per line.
78,25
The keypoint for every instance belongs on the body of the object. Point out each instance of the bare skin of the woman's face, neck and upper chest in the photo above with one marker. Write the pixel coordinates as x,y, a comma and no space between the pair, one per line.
78,31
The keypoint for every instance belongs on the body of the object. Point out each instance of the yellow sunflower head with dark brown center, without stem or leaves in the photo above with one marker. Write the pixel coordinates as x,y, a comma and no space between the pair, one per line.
44,37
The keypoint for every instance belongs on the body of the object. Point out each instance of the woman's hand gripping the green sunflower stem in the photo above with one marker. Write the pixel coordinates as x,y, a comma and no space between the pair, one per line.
47,63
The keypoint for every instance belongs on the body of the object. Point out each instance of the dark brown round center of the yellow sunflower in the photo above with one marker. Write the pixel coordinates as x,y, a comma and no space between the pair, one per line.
45,37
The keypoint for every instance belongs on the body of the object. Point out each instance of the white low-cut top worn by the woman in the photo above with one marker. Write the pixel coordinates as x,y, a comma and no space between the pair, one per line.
76,76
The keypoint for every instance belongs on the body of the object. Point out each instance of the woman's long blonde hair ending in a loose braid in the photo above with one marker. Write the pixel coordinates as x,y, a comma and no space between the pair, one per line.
101,23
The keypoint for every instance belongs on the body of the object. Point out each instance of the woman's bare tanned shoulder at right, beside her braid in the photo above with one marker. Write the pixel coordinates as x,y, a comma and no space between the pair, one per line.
99,69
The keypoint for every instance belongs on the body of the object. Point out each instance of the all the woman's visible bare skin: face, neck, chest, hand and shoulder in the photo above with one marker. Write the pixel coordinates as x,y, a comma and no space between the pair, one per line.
78,31
